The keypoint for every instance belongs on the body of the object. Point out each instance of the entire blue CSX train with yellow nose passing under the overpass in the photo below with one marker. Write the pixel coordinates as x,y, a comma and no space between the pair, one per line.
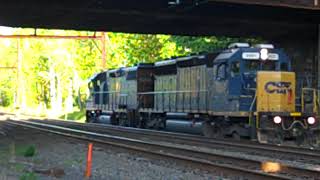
243,91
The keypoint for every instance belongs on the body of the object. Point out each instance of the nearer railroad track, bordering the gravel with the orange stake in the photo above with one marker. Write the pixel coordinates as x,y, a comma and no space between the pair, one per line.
229,165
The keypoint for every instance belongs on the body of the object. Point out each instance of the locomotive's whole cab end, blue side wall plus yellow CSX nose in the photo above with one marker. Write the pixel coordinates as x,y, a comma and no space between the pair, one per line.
257,83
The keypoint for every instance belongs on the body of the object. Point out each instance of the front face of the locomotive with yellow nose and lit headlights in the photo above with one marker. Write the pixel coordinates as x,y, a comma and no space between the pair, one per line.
276,114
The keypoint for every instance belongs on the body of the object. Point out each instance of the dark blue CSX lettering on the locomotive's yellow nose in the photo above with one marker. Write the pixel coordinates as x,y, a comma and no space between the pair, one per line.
278,87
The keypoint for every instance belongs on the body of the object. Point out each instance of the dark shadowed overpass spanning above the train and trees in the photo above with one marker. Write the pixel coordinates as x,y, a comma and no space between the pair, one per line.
291,24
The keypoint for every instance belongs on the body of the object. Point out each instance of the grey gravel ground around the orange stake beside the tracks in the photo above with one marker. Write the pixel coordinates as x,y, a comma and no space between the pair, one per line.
58,157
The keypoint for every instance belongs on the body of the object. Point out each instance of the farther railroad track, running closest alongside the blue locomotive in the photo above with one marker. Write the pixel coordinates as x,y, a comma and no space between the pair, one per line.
282,153
